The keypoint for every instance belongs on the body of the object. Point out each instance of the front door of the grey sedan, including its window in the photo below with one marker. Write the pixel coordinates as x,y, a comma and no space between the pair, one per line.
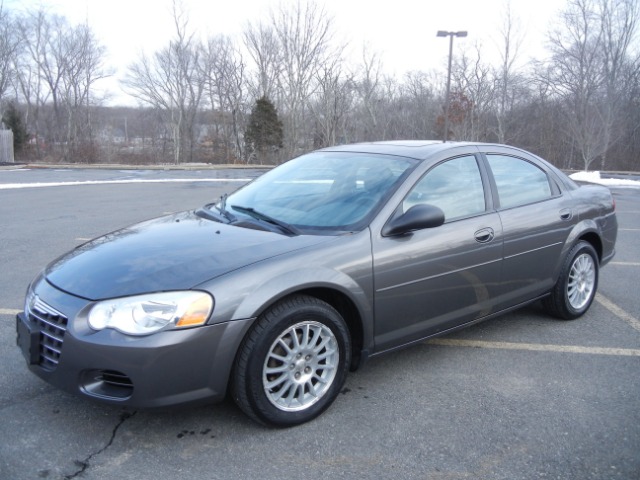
434,279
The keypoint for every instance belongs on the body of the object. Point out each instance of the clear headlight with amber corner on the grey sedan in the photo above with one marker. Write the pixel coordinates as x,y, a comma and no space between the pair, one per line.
145,314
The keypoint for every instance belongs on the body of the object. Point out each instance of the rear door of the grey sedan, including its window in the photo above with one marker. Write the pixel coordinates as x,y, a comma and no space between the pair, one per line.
536,221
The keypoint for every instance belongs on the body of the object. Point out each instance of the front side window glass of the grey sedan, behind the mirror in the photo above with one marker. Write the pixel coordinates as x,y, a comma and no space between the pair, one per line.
454,186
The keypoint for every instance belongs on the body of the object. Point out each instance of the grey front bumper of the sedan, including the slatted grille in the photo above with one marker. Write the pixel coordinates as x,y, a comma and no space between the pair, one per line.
167,368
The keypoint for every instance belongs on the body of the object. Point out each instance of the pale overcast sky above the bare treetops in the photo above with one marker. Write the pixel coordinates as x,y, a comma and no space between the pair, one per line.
402,31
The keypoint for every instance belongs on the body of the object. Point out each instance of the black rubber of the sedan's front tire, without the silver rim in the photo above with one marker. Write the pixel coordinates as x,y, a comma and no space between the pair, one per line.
279,320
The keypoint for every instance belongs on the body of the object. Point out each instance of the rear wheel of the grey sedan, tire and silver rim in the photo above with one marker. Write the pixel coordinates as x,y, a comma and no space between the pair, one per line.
576,287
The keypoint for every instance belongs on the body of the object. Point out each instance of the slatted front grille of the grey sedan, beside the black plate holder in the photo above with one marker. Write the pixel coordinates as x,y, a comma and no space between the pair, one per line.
52,325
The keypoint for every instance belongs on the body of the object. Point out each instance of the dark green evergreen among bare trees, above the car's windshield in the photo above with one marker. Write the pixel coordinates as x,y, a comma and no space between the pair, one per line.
264,131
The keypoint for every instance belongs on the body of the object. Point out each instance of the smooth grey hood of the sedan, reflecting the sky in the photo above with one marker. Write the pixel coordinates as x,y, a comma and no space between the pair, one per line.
169,253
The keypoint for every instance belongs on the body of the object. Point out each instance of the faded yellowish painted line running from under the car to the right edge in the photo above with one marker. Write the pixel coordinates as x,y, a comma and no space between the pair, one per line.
534,347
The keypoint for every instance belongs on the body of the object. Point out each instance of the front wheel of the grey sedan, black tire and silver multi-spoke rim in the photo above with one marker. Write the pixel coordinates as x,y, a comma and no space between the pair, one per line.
293,362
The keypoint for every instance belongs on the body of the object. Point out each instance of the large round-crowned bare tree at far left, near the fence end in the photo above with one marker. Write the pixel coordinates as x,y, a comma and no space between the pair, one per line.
55,71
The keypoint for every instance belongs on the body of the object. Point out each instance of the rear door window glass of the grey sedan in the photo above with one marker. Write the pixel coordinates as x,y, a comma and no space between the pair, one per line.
519,182
